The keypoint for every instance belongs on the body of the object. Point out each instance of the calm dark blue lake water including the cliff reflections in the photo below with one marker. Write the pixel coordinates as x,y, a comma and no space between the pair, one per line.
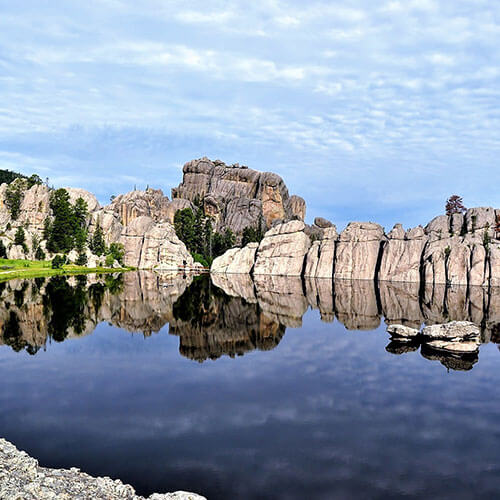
274,389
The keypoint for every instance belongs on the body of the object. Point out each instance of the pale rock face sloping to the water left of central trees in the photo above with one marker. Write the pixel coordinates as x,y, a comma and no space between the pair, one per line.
149,245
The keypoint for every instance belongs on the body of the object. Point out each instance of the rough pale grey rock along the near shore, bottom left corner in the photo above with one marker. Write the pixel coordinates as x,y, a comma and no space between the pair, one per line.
22,478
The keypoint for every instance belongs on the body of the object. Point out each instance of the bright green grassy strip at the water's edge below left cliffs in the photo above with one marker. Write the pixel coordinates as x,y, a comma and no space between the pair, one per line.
10,269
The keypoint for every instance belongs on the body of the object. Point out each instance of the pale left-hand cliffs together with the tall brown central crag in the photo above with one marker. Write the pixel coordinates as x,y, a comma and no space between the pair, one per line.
234,196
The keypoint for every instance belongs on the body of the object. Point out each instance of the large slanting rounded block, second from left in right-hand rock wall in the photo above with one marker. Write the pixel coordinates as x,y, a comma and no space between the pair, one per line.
283,250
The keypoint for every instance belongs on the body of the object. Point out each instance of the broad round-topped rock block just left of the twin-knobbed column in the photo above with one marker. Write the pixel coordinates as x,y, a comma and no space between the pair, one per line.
358,250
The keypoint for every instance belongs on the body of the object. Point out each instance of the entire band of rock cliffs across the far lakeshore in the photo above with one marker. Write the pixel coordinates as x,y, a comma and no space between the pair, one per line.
460,249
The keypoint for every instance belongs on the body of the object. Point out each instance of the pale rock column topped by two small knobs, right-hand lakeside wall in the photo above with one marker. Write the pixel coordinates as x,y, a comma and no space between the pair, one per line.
402,254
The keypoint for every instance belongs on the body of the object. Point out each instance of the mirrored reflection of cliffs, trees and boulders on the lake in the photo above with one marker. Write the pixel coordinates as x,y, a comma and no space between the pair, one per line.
231,315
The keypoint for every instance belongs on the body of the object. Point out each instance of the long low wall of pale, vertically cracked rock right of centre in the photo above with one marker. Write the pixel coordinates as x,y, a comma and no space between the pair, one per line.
450,250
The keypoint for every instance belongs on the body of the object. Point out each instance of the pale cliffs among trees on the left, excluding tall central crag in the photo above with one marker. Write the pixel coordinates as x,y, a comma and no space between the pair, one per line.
140,220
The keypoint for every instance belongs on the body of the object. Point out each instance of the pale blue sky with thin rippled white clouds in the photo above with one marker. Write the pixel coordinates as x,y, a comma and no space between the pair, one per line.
369,110
